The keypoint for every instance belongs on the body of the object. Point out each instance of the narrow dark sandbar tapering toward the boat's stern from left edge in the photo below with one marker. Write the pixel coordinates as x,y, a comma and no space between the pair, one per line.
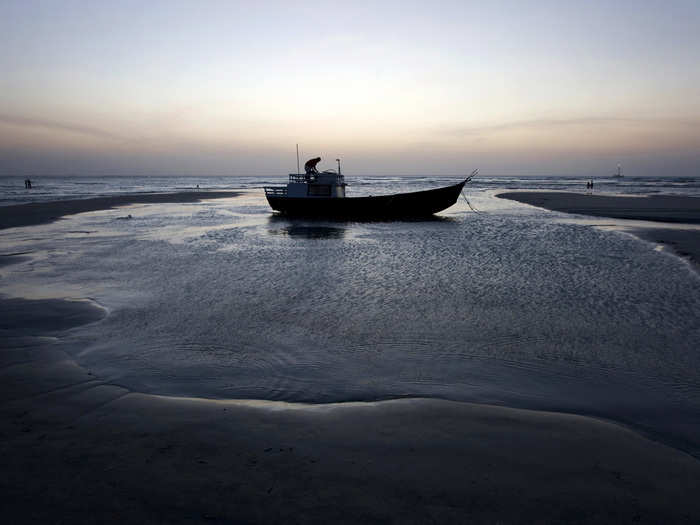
45,212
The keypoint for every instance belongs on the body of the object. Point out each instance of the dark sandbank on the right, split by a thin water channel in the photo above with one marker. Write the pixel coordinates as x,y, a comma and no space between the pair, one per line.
658,208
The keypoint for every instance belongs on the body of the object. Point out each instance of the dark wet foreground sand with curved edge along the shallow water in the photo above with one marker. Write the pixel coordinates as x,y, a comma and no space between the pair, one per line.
78,450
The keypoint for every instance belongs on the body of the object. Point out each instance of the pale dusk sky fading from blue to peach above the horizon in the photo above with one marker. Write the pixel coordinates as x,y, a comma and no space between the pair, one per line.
393,88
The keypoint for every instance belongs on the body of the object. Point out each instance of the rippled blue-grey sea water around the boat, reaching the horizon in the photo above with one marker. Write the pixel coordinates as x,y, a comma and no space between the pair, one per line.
510,305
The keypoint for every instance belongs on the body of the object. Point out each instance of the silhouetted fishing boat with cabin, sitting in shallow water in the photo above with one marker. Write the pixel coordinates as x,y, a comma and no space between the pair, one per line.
323,195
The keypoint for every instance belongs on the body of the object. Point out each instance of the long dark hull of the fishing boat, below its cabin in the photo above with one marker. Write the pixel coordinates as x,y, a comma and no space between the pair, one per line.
401,205
